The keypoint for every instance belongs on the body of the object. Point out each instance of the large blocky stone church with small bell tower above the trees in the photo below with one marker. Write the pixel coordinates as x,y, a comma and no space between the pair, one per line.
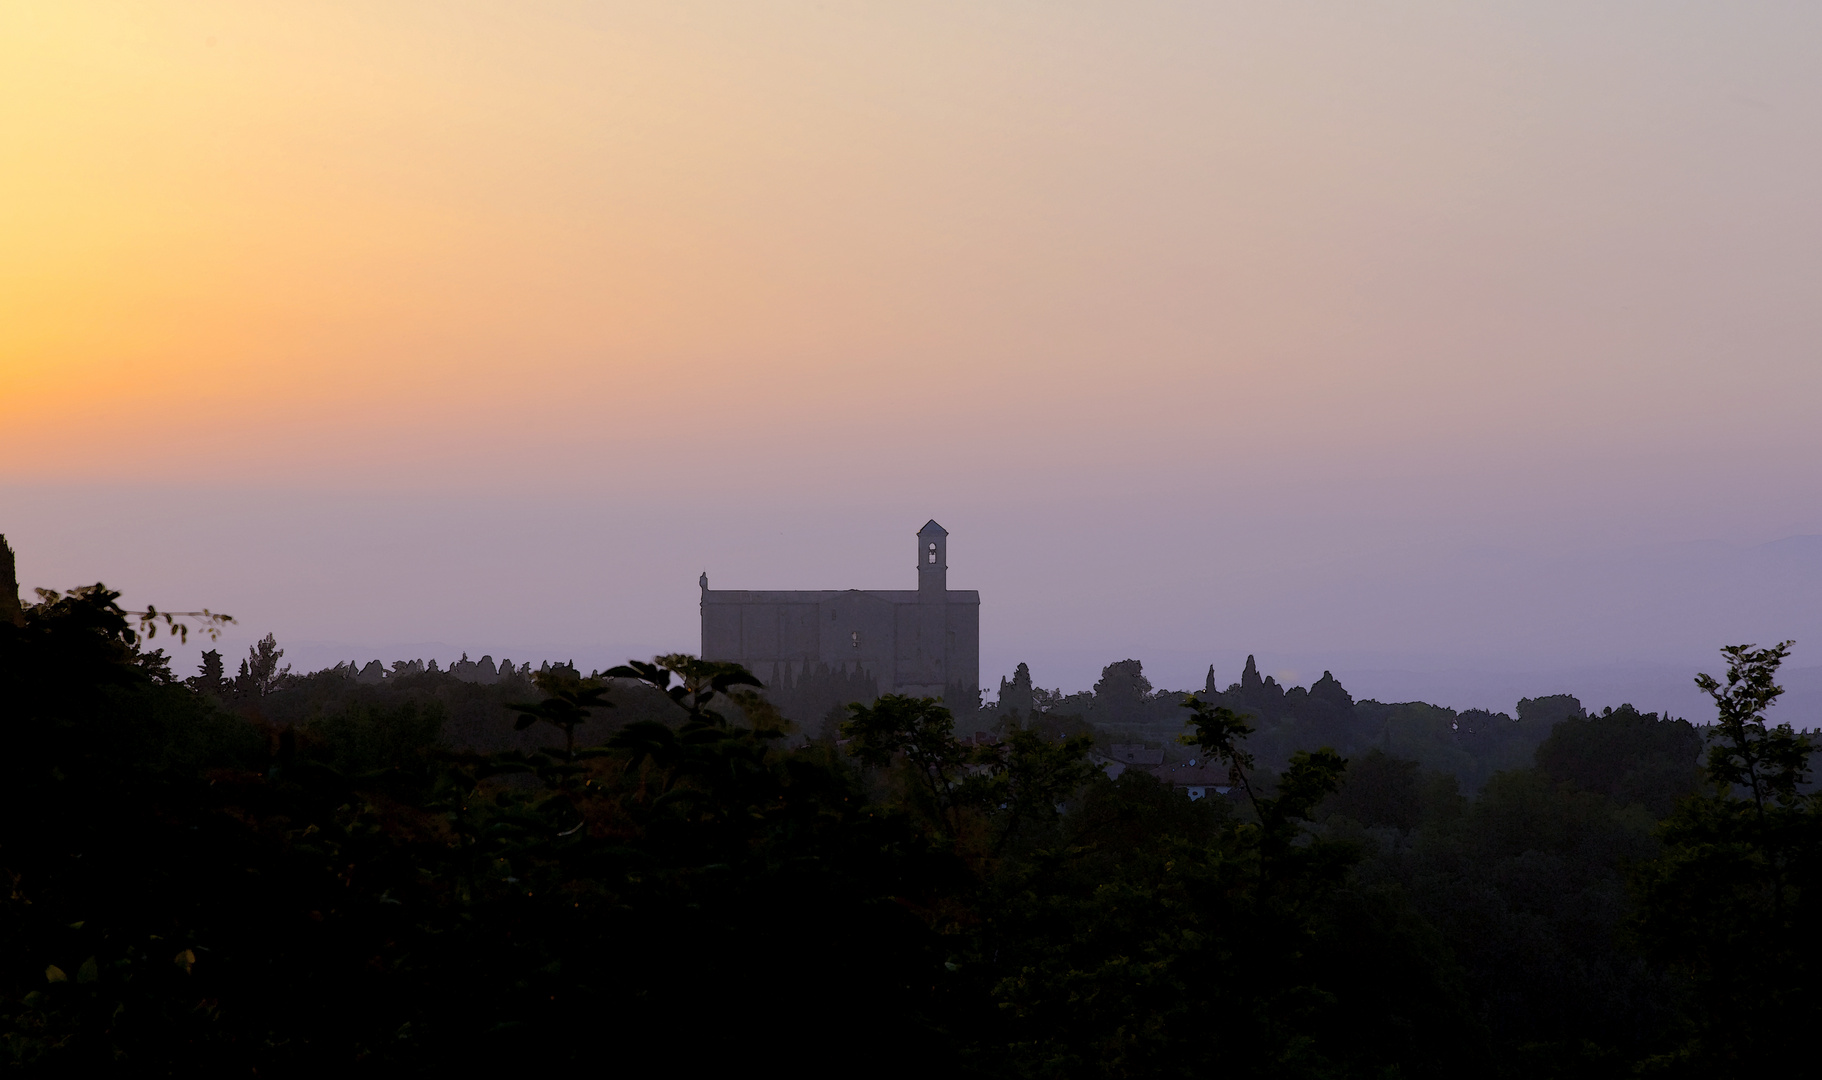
817,651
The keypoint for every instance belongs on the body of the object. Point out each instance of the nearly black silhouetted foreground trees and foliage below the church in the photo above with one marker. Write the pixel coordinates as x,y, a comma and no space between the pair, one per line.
196,886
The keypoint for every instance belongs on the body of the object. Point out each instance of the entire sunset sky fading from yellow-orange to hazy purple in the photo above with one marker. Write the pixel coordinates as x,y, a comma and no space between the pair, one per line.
1398,336
